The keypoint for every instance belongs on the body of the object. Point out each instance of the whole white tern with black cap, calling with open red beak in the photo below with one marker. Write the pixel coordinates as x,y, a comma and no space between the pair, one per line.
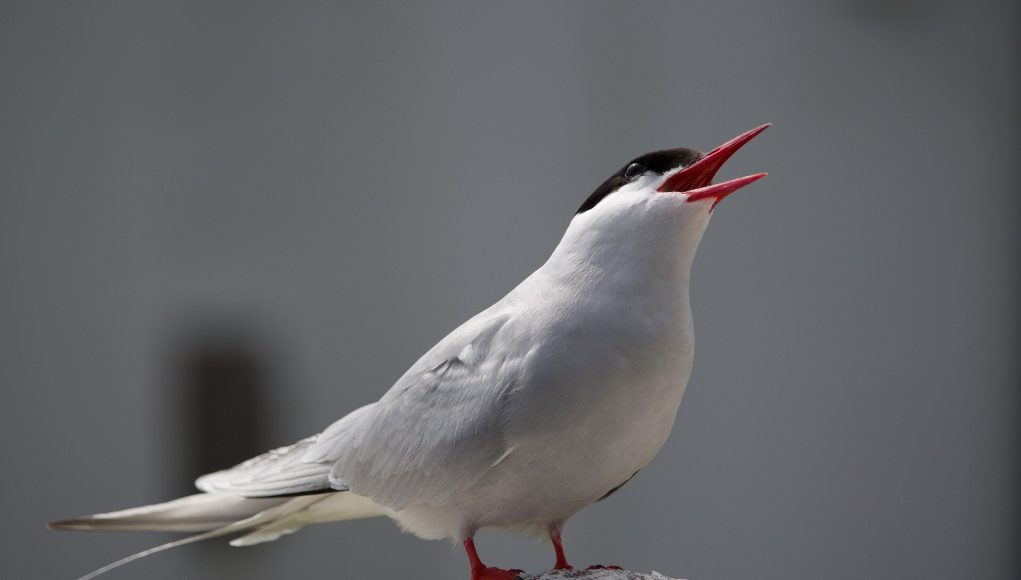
539,407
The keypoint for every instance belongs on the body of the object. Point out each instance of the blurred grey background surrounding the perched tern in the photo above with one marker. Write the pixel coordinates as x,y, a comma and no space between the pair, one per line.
225,225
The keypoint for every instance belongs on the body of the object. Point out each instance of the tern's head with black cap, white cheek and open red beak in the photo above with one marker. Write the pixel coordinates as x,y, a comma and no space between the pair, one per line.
657,206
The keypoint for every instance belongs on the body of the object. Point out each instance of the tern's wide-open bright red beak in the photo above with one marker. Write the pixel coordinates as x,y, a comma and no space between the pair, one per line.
697,180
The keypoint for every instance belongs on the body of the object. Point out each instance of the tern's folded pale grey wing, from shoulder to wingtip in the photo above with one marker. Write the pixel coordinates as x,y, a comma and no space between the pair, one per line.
437,430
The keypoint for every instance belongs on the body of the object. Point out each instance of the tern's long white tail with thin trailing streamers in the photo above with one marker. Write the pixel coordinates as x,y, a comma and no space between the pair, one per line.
215,515
